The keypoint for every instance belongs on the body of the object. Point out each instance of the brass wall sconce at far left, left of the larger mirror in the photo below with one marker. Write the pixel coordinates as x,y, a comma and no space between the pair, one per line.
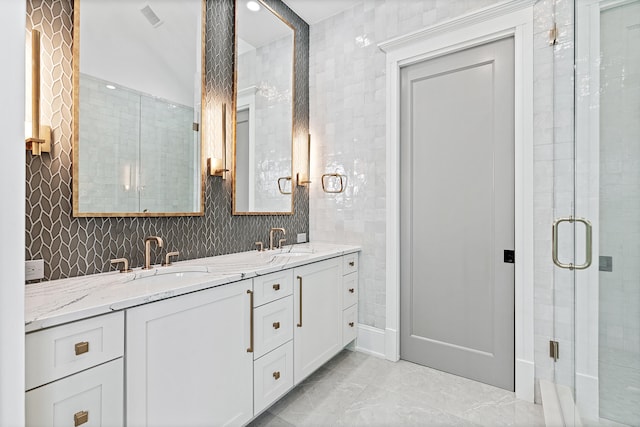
40,140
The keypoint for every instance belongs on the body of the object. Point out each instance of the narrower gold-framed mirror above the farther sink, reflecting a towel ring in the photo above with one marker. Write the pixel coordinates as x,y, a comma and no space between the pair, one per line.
264,111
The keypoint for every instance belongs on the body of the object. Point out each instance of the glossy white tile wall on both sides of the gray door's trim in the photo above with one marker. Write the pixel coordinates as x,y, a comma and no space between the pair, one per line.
347,125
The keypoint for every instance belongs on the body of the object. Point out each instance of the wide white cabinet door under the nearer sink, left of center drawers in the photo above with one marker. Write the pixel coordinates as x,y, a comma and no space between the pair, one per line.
187,360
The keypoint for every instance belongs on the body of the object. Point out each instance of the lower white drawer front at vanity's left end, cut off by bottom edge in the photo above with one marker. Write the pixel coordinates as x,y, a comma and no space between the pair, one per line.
90,398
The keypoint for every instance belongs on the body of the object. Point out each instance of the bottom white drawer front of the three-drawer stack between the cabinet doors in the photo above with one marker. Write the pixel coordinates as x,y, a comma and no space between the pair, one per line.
272,376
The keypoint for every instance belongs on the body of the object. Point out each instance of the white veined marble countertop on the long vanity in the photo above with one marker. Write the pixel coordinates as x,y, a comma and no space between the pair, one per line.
65,300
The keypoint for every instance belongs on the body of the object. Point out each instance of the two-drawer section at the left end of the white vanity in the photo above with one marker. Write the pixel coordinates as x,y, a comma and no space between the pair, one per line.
74,373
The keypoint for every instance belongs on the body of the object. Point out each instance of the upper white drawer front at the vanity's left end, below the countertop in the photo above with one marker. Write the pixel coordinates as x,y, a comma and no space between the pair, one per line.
64,350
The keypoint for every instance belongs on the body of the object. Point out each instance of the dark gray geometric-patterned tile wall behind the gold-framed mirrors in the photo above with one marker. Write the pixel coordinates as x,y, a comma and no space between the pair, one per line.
79,246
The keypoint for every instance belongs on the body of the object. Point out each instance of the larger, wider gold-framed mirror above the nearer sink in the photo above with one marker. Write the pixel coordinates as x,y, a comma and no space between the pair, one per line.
137,108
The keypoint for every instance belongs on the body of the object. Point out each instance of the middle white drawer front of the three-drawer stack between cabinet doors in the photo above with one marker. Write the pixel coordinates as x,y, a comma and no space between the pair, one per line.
273,325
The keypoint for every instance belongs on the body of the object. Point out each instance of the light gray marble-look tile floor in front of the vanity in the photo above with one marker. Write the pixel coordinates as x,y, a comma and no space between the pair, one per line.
355,389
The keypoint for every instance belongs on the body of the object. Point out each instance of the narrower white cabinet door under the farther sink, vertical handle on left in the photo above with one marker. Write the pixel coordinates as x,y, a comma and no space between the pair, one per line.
318,315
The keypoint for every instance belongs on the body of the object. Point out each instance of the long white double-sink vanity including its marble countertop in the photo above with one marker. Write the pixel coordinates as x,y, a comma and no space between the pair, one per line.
213,341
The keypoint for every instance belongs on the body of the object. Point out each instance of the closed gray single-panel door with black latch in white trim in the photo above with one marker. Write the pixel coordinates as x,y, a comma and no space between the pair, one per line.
457,213
